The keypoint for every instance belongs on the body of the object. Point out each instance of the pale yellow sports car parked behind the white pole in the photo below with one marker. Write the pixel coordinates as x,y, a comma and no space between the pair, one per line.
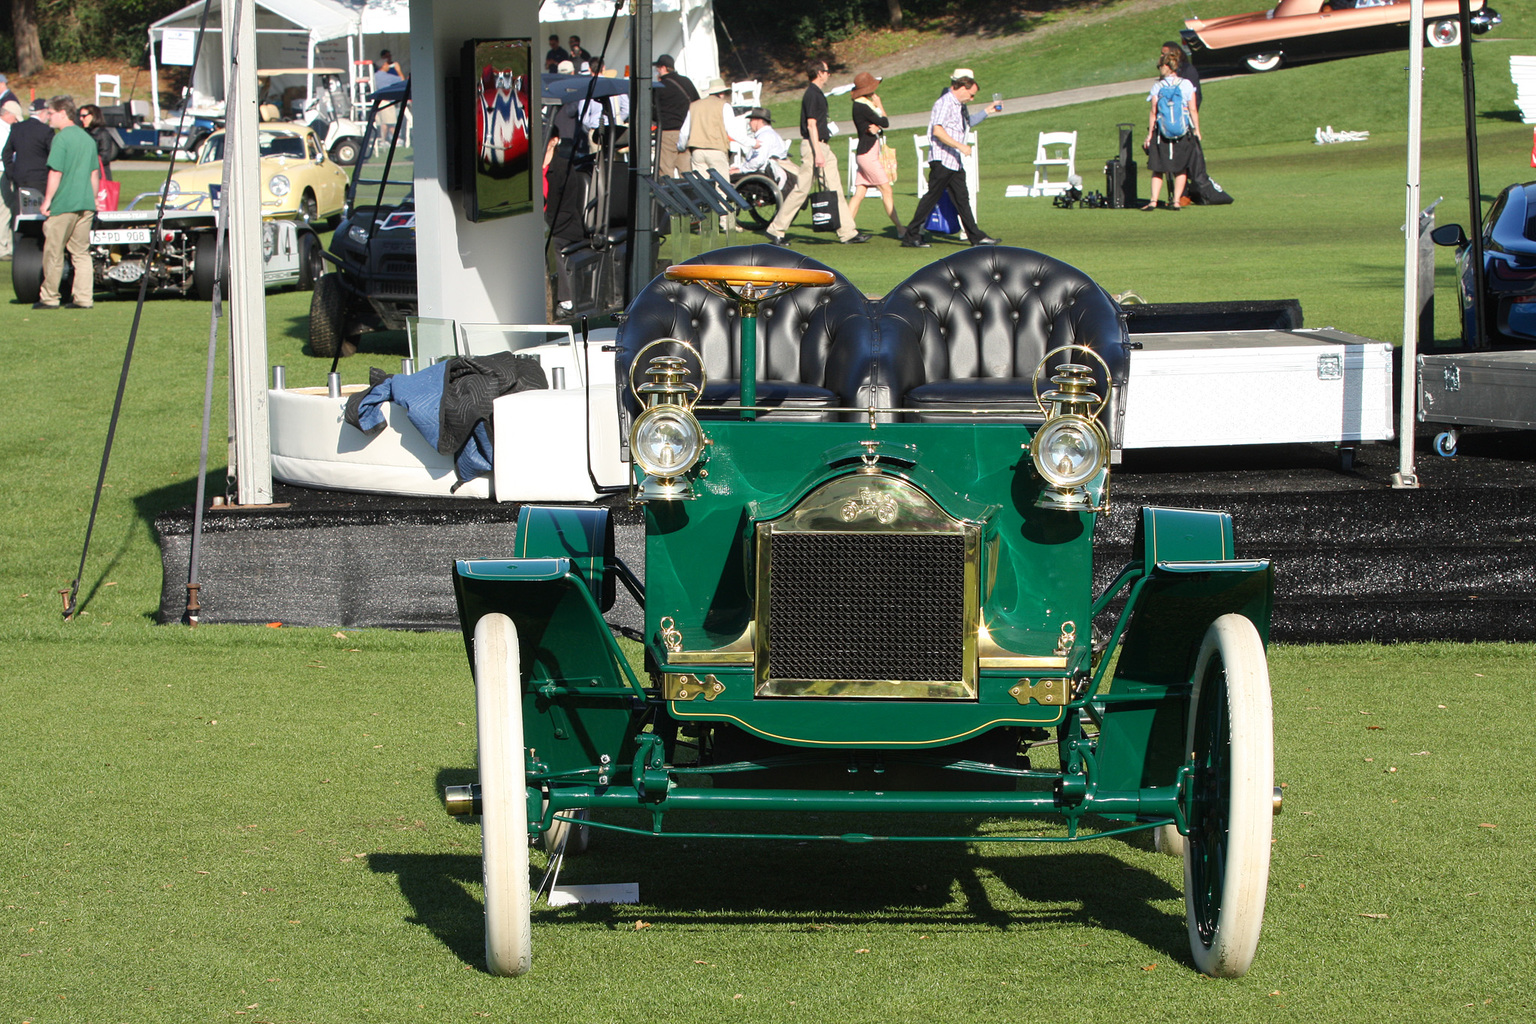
297,174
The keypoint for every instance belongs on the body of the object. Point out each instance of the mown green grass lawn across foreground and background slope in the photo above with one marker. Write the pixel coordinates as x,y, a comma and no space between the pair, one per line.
243,824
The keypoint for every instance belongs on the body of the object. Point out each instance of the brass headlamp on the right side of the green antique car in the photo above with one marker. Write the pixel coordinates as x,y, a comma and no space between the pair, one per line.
1071,448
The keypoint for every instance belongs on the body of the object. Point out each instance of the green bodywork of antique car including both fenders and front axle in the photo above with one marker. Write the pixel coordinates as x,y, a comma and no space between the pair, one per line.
583,705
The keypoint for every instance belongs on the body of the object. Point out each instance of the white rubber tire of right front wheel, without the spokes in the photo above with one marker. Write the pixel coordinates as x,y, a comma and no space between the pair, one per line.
1251,807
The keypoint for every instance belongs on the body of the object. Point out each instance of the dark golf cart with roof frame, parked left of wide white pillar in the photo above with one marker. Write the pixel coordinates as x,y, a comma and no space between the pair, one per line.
374,248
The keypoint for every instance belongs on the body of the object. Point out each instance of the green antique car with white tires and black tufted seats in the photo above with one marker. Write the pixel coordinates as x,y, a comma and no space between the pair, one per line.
869,589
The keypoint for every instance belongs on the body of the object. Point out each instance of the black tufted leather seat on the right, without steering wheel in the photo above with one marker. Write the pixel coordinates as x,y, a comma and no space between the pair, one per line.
968,332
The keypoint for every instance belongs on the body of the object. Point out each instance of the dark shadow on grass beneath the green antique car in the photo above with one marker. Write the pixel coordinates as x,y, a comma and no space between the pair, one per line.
804,885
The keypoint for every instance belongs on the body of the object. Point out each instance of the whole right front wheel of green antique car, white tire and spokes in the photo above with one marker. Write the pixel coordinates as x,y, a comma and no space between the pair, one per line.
1233,742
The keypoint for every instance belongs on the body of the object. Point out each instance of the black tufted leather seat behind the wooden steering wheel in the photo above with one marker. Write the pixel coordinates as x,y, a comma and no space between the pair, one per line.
809,342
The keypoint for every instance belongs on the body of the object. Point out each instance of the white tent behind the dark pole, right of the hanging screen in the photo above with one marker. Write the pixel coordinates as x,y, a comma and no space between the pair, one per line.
683,28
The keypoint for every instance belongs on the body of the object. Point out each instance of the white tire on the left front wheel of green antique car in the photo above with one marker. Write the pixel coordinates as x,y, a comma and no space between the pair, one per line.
505,798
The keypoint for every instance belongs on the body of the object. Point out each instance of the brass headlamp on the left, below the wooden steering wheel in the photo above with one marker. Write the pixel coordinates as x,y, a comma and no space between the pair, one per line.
666,440
